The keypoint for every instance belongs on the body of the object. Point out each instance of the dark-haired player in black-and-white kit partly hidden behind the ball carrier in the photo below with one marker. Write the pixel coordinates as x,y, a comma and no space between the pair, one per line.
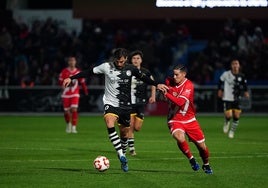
139,98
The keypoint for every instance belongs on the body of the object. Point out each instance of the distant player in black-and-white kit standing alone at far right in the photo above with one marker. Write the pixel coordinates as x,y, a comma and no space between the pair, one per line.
231,87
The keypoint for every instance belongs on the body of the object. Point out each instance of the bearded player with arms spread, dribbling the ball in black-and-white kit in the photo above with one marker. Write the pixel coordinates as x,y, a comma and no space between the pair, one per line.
117,97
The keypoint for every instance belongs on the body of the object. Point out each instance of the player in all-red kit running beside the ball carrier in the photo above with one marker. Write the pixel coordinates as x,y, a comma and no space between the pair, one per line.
181,117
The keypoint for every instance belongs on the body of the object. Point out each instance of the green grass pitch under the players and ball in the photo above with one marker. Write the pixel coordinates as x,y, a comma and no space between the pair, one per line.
36,152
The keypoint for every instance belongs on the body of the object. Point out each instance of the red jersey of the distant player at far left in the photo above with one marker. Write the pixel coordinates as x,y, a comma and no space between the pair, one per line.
73,89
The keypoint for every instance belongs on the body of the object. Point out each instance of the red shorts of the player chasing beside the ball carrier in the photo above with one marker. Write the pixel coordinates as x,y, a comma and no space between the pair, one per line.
192,130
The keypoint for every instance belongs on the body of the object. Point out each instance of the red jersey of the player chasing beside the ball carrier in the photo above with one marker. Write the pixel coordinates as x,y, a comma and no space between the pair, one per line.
181,101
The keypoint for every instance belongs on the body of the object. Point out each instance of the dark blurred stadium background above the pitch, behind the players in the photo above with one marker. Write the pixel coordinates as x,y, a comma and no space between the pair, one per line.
37,36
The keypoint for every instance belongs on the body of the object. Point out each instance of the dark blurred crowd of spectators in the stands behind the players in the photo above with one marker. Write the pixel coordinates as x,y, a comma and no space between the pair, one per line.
35,54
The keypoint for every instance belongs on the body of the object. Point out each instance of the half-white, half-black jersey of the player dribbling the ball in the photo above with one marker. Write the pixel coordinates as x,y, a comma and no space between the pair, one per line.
117,83
